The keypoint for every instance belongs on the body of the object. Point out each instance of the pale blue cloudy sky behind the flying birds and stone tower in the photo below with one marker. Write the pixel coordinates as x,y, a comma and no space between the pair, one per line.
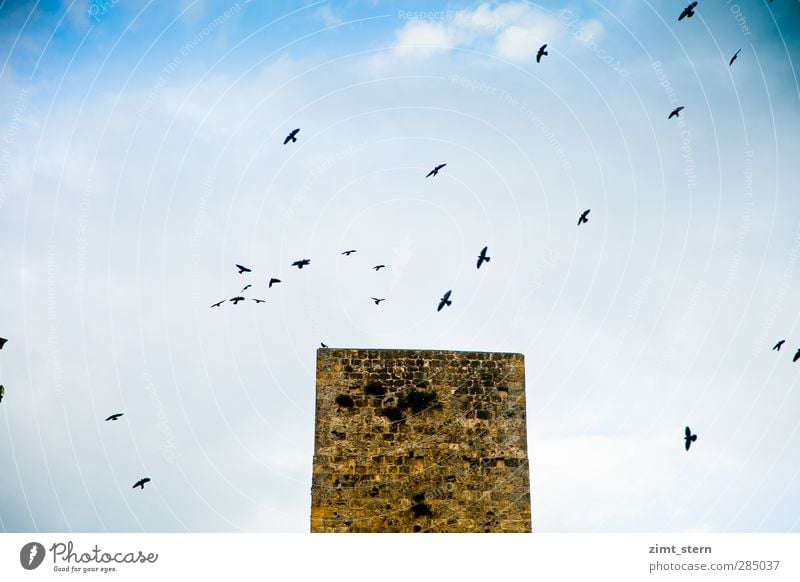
142,158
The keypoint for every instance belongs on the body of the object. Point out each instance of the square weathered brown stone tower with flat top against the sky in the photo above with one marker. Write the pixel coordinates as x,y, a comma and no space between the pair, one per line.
420,441
